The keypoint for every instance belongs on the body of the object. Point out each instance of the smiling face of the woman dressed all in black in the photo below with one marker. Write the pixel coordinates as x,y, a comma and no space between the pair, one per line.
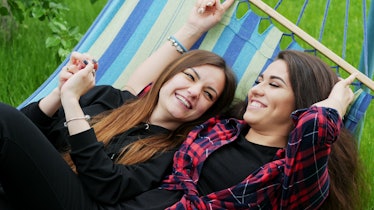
190,93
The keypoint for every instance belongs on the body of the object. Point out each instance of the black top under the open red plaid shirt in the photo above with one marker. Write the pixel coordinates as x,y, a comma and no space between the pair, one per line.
231,164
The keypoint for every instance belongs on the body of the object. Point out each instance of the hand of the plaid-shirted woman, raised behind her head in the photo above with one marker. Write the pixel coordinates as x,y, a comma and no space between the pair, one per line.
341,96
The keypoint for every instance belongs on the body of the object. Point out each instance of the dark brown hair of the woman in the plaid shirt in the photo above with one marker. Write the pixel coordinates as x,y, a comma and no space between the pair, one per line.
312,81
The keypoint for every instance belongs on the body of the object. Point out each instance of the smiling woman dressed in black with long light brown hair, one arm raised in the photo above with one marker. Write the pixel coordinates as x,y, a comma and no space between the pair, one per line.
120,144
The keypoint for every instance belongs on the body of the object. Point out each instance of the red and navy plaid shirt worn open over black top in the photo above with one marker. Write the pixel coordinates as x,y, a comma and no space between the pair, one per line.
296,179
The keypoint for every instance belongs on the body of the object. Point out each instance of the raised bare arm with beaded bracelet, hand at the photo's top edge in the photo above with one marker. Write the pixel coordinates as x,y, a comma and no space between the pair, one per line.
204,15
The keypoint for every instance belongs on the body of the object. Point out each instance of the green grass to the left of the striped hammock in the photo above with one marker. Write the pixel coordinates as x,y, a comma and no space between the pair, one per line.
25,61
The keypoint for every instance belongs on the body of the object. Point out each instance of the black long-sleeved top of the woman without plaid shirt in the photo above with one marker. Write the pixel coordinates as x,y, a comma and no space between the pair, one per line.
107,182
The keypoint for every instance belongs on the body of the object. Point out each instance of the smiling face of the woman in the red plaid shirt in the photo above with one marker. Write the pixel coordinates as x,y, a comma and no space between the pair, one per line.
271,100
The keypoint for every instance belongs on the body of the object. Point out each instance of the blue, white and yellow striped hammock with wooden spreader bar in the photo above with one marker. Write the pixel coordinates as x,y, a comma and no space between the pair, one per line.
126,32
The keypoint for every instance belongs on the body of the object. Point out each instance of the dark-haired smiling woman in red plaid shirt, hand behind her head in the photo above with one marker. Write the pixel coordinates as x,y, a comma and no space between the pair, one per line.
282,148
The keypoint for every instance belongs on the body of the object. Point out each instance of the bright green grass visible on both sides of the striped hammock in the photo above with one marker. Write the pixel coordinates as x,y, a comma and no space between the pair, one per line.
26,63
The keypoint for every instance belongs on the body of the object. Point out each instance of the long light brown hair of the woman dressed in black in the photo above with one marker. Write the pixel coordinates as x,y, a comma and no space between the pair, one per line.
109,124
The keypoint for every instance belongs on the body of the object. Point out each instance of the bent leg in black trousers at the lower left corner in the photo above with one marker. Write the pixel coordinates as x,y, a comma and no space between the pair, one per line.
32,172
